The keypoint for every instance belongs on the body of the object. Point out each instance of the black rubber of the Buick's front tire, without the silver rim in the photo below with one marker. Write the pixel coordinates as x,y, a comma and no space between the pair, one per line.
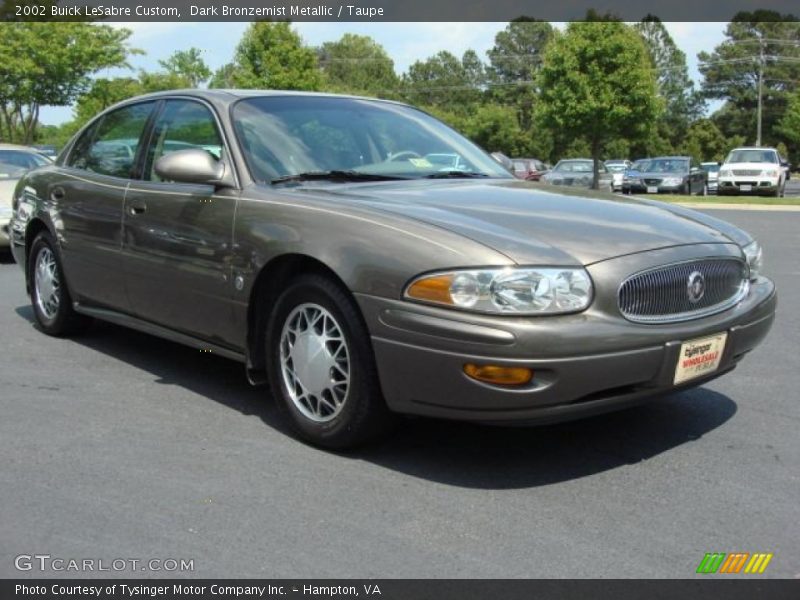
352,425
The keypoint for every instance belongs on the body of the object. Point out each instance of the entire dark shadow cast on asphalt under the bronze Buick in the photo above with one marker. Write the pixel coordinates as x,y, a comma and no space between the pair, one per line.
450,453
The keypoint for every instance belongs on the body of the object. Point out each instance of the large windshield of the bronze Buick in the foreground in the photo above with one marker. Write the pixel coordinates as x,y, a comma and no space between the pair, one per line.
286,136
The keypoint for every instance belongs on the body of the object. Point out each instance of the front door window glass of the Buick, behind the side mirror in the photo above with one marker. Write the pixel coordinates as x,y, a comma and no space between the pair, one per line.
182,125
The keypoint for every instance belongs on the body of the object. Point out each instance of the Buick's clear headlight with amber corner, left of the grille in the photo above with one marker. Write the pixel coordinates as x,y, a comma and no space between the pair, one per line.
520,291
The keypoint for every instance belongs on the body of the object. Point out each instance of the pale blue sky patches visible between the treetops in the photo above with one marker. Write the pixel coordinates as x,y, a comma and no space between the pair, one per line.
405,43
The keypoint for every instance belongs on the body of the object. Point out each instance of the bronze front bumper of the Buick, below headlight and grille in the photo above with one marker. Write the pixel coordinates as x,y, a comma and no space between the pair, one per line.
584,364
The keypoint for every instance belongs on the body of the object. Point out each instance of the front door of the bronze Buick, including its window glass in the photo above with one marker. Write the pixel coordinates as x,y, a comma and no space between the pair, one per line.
178,236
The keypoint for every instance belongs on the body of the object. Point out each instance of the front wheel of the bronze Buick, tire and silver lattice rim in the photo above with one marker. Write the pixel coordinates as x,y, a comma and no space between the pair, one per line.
337,402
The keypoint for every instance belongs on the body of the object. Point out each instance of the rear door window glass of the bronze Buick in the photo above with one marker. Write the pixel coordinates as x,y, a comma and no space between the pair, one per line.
110,147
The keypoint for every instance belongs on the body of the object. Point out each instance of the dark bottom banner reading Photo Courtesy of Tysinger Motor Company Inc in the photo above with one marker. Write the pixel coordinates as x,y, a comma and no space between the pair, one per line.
410,589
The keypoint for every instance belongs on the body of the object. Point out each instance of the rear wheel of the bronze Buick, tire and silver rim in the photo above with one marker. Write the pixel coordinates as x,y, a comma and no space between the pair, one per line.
50,298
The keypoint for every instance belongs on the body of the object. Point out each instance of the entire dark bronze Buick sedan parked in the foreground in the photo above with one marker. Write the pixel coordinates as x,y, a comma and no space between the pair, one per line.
308,236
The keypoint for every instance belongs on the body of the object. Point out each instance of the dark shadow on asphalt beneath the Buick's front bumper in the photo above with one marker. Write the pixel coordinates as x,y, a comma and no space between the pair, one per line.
489,457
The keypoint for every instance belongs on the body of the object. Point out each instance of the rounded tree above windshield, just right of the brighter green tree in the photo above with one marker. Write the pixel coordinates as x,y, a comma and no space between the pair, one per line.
357,64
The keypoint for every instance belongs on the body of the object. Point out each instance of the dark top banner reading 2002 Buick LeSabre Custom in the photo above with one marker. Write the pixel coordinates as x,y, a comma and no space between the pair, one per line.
382,10
